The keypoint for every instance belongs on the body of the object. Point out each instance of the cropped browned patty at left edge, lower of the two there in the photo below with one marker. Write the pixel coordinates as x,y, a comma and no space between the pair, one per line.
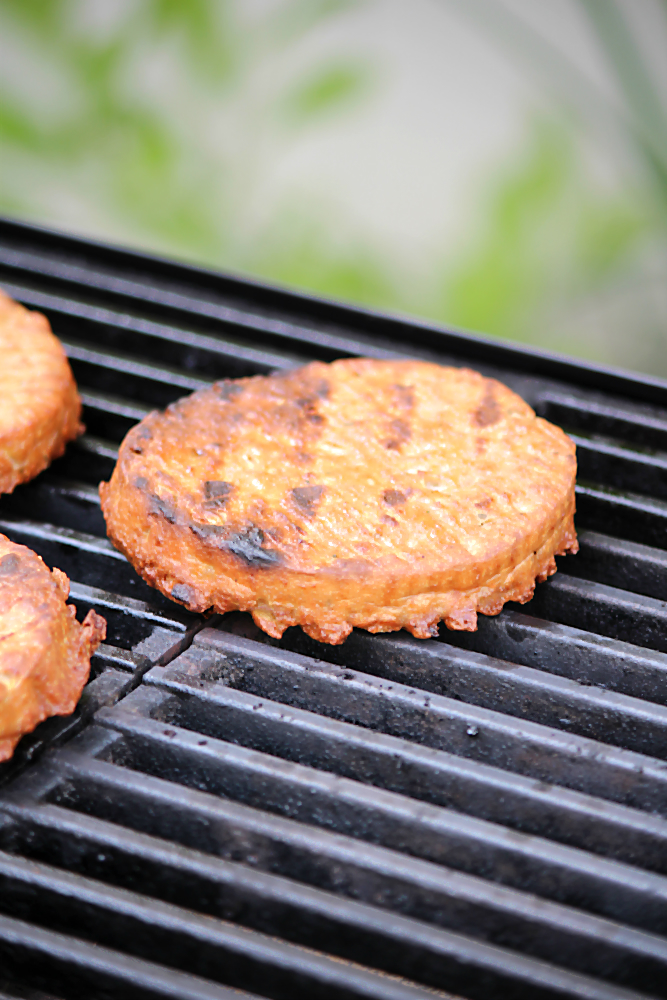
44,652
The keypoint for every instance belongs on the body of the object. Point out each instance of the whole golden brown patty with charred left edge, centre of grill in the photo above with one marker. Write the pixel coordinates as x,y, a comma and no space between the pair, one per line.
377,494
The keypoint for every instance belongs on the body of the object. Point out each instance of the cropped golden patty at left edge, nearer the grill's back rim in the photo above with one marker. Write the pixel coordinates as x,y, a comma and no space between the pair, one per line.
39,404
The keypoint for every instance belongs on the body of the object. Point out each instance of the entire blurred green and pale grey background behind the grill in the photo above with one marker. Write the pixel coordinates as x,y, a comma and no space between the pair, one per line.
496,165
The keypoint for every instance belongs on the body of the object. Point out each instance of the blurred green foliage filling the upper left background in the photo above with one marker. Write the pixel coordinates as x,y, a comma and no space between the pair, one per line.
142,161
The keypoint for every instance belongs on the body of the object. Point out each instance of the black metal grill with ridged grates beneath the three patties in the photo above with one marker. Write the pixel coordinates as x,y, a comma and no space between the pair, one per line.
227,816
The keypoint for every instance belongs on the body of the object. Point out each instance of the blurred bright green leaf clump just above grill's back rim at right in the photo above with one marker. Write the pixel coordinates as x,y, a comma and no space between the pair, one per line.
545,236
